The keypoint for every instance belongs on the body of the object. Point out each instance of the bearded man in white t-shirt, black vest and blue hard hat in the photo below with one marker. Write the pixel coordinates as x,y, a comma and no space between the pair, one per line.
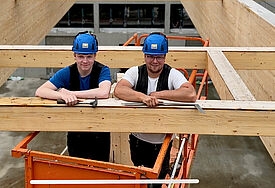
147,83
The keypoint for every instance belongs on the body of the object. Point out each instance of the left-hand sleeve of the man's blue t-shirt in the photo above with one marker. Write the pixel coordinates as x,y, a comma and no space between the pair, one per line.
61,78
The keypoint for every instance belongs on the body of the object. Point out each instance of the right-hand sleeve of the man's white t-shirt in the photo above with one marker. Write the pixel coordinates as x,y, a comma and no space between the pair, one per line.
176,79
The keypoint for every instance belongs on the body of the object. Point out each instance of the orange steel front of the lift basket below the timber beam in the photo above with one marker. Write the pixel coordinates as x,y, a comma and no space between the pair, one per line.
47,166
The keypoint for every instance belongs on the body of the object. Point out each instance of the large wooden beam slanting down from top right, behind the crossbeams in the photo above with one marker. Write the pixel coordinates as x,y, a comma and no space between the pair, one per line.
238,23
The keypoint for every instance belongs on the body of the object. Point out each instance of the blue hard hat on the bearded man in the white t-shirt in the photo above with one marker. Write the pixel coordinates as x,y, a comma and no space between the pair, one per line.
155,44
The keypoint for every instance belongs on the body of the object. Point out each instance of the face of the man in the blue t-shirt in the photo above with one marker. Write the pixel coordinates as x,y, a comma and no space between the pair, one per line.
84,61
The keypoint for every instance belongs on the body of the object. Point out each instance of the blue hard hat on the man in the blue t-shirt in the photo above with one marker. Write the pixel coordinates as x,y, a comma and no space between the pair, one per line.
85,43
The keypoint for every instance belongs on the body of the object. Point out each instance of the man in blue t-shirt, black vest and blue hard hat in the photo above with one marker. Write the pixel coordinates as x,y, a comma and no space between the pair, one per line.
86,78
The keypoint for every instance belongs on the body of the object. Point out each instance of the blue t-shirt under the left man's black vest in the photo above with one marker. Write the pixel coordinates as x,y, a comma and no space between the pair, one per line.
61,78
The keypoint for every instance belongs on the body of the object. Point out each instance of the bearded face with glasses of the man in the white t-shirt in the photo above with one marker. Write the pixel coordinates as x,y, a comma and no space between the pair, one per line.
154,63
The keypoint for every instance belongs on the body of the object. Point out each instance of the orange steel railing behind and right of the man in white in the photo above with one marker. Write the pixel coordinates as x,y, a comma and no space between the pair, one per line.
192,140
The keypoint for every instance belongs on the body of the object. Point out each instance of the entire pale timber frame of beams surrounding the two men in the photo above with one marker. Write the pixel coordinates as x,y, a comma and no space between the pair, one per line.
244,72
